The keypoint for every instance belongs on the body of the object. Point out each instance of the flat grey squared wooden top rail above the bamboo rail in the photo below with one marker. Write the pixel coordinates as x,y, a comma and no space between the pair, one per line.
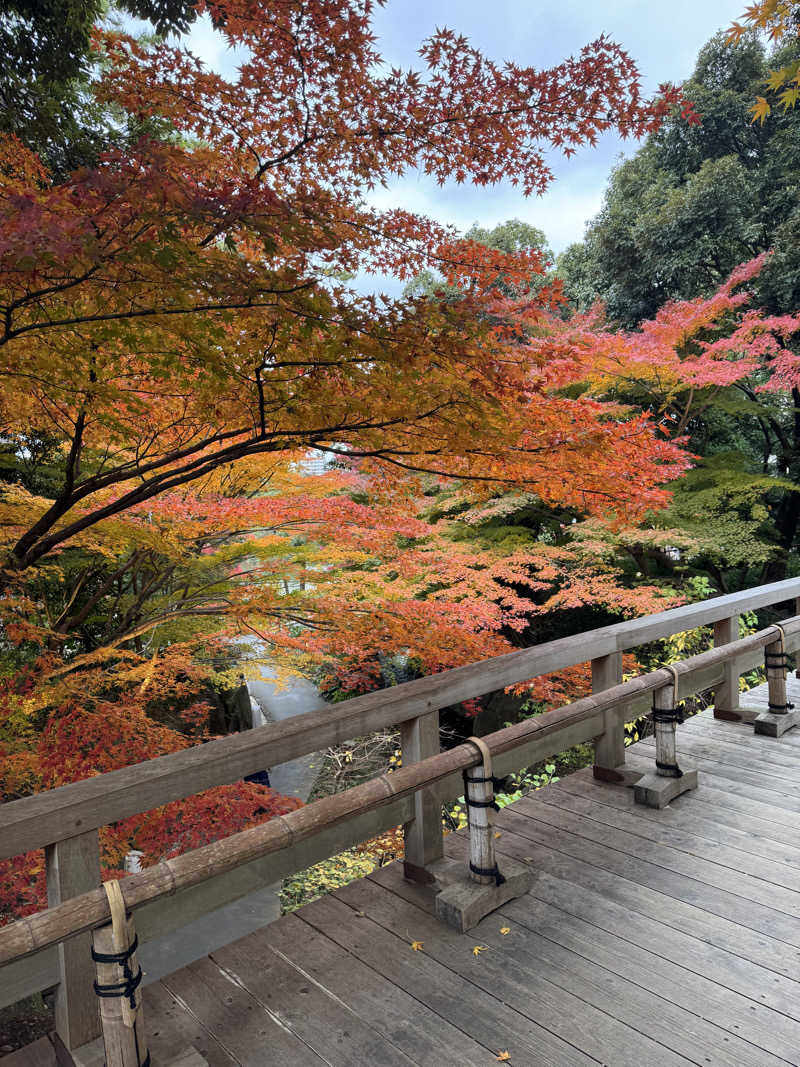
81,807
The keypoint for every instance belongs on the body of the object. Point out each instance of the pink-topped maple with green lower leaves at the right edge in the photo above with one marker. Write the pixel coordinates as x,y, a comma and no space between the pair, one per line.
701,362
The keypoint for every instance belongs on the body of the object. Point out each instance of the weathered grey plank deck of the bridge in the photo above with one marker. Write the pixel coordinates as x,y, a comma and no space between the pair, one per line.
649,938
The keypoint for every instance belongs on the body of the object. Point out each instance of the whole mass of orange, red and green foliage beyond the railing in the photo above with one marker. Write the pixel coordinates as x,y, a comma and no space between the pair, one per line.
180,342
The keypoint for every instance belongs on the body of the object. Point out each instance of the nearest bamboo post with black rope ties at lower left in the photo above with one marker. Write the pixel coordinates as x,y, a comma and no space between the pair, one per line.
119,986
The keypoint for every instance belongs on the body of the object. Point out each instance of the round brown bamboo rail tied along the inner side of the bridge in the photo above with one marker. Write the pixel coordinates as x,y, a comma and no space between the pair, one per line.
89,911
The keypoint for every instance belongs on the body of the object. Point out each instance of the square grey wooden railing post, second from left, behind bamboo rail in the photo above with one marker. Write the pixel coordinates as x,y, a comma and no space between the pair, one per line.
424,840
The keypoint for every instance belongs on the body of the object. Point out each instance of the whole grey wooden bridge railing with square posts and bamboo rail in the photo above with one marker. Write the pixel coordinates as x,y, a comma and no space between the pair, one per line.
53,949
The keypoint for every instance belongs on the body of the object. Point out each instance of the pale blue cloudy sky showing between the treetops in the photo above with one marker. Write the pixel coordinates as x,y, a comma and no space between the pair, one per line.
663,38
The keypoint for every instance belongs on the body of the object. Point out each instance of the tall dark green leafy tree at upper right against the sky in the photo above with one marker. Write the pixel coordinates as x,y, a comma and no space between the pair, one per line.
697,200
